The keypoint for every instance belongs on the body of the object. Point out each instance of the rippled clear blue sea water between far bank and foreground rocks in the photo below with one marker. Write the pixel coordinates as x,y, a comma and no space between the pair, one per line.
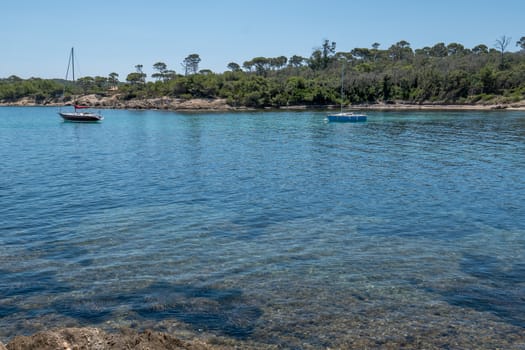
261,229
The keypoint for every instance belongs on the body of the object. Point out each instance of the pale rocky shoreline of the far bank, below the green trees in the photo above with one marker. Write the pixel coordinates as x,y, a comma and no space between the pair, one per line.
202,104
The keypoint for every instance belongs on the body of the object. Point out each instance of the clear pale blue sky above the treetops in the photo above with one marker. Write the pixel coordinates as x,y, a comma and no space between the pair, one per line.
115,35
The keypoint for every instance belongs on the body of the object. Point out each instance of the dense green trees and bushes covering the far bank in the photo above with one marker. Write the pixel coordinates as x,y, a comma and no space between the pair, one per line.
438,74
